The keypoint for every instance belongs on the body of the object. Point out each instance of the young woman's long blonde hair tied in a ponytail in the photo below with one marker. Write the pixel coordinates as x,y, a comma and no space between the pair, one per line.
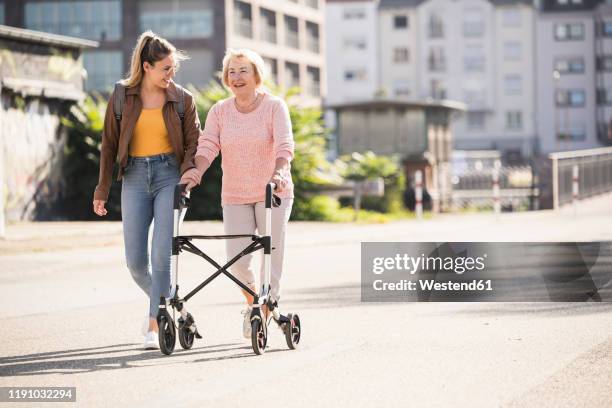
150,48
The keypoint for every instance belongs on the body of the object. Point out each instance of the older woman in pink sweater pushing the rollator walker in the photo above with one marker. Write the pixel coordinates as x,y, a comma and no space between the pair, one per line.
252,130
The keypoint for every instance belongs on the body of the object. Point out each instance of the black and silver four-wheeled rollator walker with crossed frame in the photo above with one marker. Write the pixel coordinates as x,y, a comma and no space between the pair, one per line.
187,330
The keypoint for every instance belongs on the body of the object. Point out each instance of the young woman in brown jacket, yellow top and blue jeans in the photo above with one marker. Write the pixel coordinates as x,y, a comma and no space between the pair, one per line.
154,147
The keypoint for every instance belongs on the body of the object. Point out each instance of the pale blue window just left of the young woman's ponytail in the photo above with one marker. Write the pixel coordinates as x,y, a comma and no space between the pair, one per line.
103,68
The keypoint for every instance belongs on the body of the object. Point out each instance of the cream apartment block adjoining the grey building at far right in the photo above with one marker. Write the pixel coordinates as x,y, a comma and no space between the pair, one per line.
475,51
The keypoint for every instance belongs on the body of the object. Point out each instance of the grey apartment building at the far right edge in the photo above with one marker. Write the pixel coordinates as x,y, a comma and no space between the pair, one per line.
574,65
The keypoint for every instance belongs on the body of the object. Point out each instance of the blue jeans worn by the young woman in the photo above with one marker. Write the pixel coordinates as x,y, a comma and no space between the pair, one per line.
147,194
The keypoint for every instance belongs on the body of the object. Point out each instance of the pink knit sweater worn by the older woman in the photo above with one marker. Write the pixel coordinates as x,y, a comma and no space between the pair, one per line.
249,144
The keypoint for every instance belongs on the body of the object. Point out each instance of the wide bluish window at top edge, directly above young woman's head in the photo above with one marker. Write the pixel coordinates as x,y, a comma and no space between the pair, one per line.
193,20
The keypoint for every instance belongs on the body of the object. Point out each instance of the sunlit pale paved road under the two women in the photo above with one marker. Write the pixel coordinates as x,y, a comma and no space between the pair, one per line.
71,317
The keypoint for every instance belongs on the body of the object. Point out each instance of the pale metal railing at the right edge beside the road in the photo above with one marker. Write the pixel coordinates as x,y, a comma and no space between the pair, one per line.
594,167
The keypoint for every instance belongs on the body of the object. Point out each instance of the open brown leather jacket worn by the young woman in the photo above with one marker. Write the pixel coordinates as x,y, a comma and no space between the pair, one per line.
115,144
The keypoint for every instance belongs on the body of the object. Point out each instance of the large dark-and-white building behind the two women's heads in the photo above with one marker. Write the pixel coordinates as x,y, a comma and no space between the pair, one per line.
288,34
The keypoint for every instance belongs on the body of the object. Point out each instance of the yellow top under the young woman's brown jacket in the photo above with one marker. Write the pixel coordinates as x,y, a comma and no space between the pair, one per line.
150,136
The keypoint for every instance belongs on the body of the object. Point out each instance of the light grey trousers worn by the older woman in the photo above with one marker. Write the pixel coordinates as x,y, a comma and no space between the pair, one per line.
246,219
